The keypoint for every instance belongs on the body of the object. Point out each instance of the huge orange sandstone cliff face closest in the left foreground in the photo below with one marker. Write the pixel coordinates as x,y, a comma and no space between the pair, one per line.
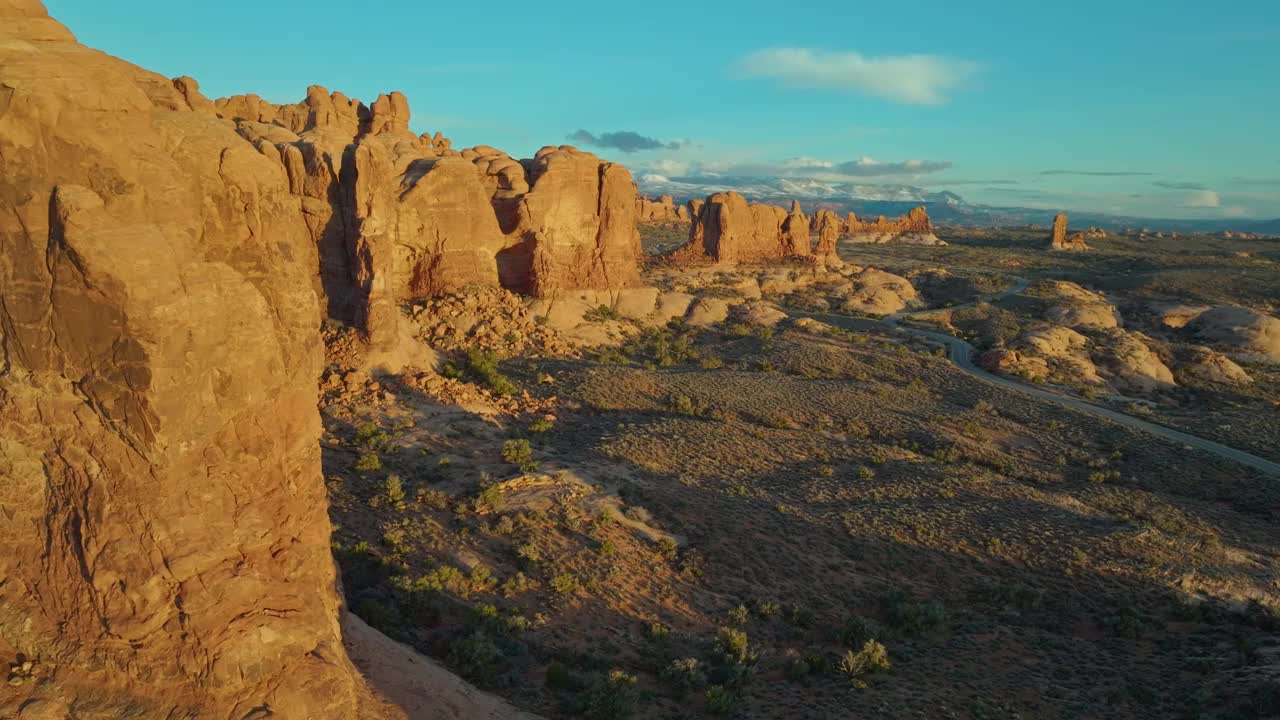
163,511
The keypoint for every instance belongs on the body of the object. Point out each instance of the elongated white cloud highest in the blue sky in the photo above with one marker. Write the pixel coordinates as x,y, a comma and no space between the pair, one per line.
918,80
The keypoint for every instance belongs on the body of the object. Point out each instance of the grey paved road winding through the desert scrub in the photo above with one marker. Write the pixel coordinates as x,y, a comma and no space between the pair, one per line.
962,354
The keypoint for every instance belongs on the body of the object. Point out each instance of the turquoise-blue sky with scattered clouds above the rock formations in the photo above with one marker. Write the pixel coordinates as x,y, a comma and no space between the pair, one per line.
1132,107
